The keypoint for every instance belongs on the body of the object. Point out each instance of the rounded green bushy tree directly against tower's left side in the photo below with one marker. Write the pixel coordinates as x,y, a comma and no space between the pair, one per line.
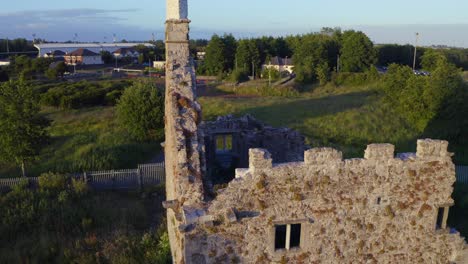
140,111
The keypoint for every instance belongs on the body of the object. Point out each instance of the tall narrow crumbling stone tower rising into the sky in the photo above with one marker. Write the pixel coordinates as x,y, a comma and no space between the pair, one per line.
183,146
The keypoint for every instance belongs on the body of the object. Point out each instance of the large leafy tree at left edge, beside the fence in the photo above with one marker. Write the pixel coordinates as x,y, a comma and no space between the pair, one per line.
22,129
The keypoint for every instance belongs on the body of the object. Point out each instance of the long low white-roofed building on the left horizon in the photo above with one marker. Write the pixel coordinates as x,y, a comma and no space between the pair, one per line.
94,47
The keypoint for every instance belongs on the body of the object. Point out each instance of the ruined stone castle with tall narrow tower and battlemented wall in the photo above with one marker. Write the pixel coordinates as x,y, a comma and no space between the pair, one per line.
379,209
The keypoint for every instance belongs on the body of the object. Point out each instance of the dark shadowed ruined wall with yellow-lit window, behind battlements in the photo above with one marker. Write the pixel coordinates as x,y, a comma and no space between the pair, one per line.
246,132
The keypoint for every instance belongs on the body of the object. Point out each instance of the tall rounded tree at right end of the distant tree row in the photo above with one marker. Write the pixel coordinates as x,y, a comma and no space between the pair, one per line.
357,52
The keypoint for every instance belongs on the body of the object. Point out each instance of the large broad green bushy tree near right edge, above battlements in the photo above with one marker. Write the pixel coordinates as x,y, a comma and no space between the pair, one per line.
421,99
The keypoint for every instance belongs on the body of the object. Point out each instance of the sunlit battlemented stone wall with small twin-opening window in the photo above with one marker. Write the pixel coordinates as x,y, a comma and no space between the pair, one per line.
373,210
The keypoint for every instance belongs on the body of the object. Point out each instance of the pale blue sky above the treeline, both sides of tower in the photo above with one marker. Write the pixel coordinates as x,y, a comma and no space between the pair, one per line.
391,21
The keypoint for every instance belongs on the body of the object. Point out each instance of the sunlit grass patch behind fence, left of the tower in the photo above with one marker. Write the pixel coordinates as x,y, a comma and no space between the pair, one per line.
86,139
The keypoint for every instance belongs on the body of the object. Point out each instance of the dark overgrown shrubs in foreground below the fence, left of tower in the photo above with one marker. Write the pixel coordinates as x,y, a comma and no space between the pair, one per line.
64,222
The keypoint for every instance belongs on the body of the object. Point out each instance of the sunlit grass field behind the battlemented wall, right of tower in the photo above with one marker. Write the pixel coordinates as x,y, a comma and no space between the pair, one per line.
347,118
